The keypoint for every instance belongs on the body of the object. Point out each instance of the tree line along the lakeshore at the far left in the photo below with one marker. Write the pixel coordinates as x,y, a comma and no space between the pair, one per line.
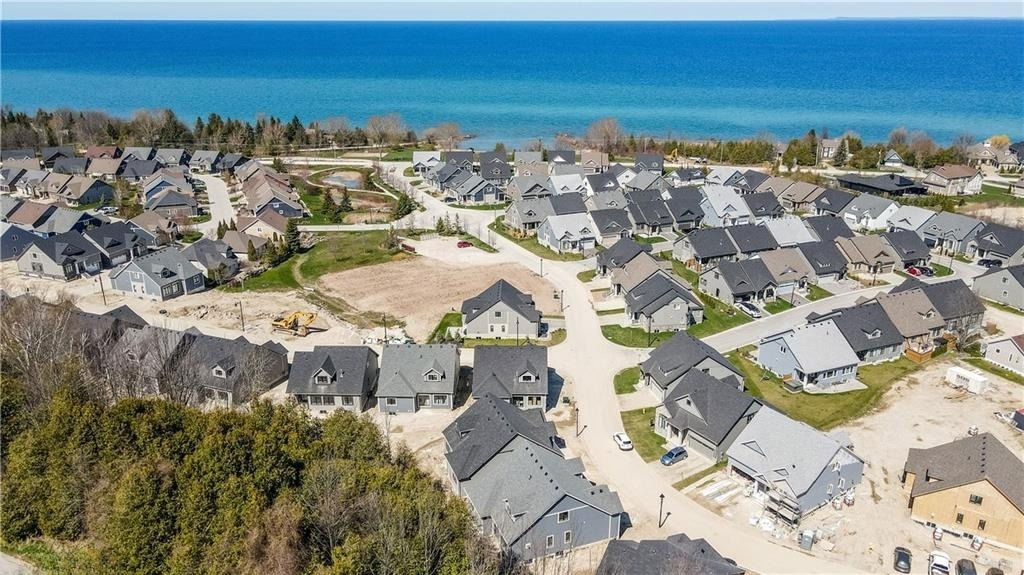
162,128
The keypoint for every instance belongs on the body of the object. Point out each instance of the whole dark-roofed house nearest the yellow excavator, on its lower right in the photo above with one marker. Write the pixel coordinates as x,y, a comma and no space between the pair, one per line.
332,378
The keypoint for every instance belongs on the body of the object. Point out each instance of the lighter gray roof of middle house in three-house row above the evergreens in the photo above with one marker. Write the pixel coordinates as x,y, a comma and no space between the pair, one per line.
405,369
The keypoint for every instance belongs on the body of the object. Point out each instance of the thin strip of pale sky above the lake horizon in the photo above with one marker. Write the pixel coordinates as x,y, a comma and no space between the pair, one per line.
502,11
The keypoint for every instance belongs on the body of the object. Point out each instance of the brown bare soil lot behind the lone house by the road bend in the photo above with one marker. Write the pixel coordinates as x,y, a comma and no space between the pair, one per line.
420,291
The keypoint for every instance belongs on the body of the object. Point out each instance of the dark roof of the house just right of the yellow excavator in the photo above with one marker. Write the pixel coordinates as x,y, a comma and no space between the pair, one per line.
347,367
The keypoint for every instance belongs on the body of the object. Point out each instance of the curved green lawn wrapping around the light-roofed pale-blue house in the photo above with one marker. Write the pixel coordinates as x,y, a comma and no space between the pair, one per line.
824,412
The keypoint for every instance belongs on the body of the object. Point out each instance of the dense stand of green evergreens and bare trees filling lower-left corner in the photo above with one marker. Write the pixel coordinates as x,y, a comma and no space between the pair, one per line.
144,485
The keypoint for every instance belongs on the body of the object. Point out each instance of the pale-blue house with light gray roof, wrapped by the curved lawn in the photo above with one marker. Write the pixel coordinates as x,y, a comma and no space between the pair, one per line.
816,357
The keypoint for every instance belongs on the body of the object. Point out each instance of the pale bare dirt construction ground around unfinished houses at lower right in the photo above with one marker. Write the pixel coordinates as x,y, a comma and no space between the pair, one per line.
920,412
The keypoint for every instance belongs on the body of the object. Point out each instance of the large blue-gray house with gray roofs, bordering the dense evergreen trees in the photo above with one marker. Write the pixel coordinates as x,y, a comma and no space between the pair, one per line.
545,506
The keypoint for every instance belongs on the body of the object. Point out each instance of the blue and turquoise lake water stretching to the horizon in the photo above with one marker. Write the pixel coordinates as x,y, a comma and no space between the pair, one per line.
521,81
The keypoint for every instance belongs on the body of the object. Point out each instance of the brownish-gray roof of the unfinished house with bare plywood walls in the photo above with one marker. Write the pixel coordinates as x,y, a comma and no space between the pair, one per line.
967,461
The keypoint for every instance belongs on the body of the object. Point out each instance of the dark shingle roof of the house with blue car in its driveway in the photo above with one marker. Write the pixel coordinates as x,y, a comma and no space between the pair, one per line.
706,407
